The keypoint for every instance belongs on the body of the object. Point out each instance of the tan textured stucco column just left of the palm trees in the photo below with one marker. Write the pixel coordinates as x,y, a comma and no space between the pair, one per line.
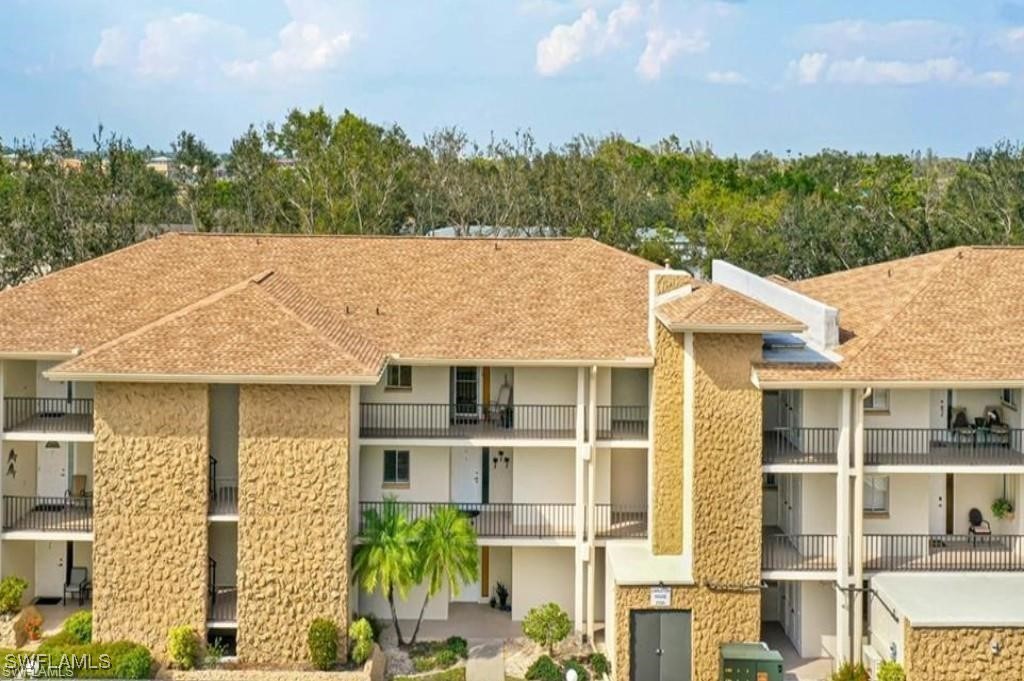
293,519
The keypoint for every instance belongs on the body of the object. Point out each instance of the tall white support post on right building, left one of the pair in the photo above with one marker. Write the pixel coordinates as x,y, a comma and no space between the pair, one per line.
843,530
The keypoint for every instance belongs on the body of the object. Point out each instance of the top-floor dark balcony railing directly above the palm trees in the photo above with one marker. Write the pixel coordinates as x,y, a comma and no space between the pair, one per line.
517,421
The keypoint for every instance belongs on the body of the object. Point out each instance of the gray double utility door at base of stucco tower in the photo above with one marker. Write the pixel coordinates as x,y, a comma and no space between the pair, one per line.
660,646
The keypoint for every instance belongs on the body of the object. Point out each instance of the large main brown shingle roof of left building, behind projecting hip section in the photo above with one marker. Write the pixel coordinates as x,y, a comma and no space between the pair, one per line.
420,299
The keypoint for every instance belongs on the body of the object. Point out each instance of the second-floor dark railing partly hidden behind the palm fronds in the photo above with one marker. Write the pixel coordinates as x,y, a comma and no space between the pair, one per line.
496,521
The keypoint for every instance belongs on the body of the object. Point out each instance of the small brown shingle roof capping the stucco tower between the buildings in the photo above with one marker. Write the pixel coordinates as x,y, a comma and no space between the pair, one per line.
711,308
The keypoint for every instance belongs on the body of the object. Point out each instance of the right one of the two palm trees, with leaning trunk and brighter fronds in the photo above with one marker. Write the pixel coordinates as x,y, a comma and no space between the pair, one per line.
448,555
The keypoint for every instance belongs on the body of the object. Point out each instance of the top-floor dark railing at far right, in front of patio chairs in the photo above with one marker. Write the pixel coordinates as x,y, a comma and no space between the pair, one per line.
937,447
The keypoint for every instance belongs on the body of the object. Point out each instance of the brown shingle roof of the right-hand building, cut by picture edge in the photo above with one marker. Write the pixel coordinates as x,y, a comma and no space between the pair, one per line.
953,316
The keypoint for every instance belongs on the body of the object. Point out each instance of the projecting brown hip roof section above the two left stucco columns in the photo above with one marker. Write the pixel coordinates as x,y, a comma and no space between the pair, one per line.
261,328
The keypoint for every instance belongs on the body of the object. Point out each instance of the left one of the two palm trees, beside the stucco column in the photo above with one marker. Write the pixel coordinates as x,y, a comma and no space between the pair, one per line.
388,558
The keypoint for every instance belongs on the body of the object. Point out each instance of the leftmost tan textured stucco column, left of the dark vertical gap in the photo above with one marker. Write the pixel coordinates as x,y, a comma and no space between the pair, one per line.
151,466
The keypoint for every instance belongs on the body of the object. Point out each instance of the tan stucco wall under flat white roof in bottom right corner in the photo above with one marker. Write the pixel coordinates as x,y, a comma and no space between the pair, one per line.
963,655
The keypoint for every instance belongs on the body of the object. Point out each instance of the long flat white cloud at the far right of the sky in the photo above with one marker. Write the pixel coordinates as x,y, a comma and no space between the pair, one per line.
819,67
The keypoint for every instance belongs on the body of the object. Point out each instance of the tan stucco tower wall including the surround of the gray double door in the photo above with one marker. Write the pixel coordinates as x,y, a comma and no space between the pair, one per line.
727,601
